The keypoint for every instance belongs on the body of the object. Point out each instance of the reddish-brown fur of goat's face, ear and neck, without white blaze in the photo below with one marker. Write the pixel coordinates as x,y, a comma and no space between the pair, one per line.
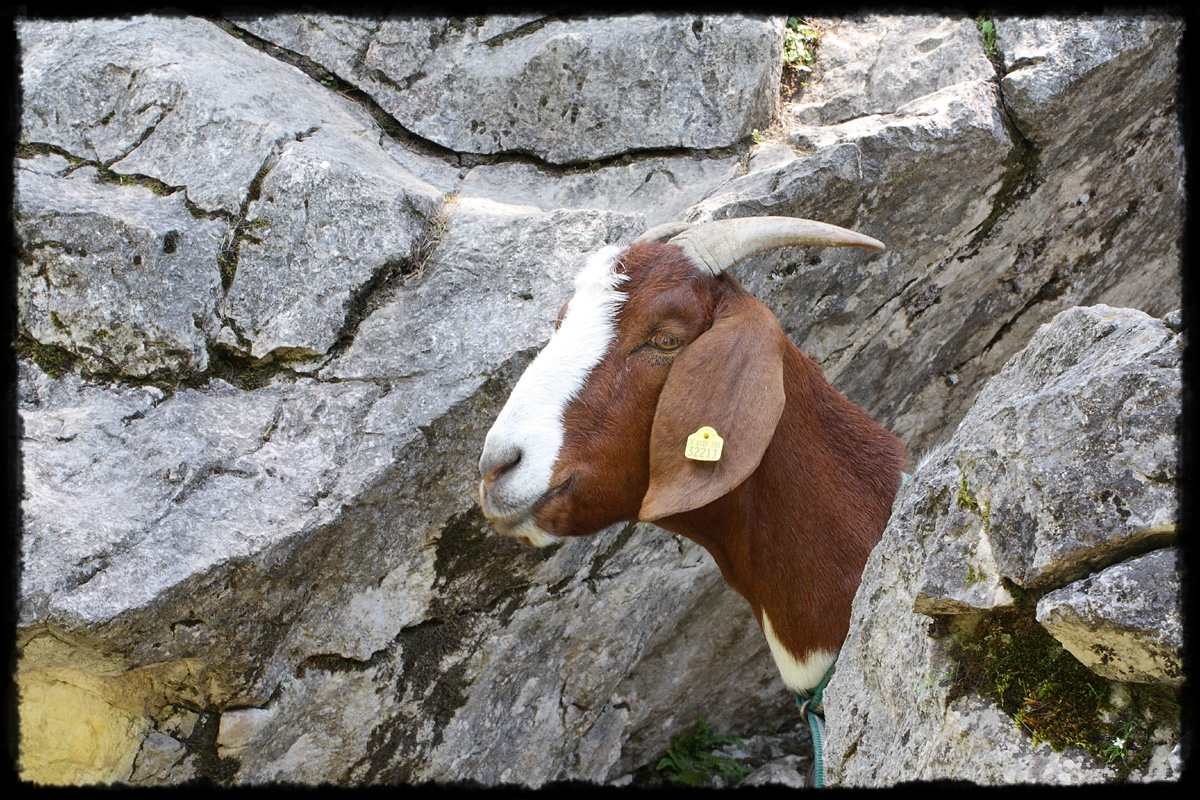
793,510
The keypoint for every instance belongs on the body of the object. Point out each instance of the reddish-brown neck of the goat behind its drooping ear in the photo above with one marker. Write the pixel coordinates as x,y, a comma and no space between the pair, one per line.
795,537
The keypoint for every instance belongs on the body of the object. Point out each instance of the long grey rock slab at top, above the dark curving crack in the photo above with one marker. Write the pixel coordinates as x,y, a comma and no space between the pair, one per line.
563,89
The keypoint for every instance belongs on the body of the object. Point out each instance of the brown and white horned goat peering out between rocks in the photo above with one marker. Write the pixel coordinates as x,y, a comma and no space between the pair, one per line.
657,342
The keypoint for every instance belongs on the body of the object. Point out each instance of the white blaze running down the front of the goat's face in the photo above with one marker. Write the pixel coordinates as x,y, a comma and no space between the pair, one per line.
531,424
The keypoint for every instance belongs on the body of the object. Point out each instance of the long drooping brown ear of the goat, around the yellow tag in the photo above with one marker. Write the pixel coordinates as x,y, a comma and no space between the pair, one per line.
730,380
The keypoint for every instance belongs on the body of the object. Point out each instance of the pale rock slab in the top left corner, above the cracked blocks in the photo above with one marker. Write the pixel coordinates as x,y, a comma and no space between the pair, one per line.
167,98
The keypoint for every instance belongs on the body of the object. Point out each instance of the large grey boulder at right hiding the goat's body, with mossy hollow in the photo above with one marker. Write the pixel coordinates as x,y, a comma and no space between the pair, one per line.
1064,468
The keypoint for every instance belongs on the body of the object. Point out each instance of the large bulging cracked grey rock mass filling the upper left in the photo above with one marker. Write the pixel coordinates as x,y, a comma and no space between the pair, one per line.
320,210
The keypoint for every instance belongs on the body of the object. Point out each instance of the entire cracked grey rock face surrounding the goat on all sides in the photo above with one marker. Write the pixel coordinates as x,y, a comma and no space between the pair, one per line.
278,276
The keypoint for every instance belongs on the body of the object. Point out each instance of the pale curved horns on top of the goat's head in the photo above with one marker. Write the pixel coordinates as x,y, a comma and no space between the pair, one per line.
719,245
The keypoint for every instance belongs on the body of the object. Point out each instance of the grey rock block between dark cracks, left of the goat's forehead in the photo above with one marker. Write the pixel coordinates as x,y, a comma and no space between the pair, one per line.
333,215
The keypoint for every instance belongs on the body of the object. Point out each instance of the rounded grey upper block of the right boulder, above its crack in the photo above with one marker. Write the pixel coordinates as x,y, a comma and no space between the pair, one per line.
1067,460
